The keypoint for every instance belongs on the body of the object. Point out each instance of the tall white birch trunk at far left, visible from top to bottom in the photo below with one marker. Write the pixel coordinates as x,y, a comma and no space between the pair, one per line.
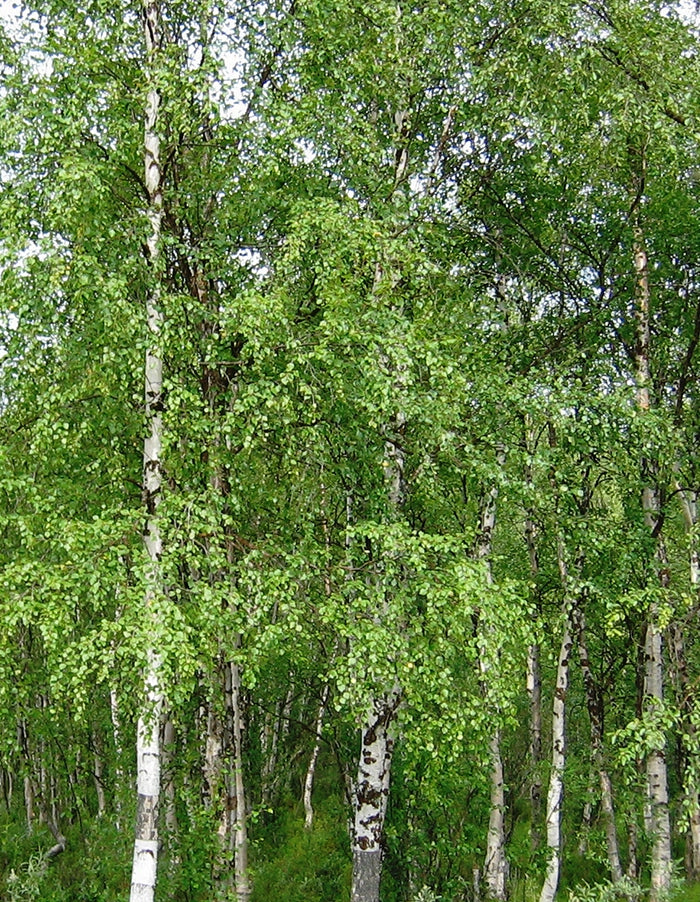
148,752
